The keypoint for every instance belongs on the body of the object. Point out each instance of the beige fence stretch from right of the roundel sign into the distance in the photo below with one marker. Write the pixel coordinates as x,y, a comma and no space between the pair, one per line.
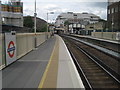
26,42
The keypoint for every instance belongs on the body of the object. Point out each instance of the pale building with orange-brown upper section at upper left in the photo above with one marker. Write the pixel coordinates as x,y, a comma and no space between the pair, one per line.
12,13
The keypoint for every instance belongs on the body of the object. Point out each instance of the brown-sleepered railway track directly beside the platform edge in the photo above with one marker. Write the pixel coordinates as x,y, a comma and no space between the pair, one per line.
94,74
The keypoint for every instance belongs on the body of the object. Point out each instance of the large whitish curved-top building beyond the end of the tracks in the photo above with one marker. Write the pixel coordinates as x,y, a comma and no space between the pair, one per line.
75,21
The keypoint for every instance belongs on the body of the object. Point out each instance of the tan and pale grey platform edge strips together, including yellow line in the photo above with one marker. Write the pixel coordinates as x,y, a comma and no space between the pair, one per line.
61,71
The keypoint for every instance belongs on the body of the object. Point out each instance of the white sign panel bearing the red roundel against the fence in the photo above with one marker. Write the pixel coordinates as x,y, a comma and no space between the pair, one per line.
10,42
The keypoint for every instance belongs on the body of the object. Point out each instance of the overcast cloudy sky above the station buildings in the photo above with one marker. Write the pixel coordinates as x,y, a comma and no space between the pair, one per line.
98,7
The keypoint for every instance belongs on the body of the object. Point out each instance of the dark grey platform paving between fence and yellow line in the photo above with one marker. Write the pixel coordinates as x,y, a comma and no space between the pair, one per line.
27,72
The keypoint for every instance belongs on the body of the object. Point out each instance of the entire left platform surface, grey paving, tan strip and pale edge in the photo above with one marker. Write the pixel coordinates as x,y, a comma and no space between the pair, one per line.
50,66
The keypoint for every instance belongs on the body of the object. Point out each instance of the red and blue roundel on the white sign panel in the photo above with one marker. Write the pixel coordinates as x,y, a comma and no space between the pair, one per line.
11,49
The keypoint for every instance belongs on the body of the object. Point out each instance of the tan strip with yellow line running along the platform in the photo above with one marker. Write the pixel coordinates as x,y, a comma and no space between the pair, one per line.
49,79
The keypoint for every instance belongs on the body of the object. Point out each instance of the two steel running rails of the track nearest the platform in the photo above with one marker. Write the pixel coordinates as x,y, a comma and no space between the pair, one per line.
95,60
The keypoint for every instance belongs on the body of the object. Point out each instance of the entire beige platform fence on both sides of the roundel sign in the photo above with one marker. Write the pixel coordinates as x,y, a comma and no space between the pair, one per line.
24,43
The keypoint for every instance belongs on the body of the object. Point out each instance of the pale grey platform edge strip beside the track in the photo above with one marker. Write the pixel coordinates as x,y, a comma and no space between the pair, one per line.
67,73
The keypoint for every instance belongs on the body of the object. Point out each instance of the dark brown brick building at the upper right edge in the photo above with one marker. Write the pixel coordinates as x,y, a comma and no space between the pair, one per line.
113,16
